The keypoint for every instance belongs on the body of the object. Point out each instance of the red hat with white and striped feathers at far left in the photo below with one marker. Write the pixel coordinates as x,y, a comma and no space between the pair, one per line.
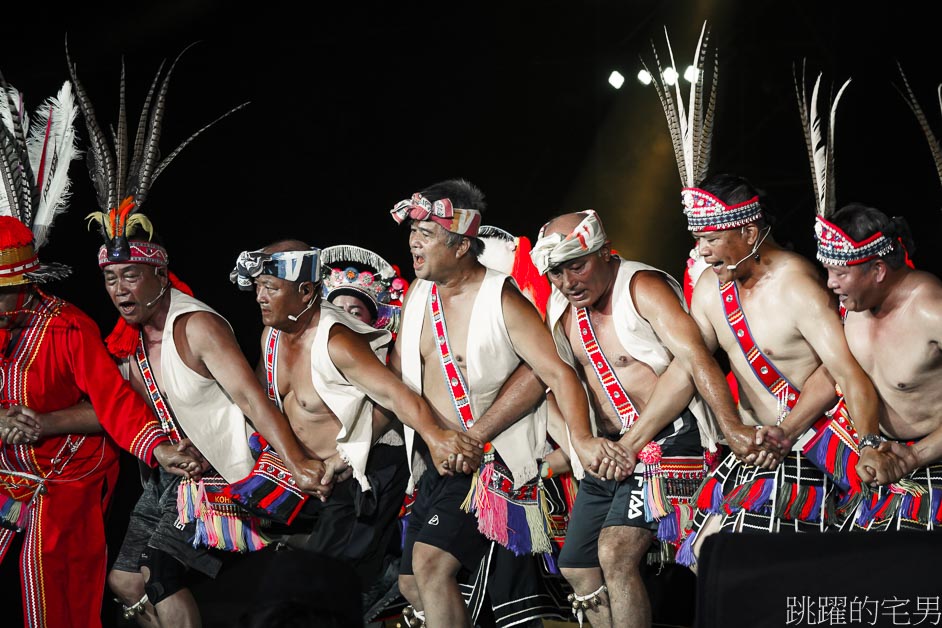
34,164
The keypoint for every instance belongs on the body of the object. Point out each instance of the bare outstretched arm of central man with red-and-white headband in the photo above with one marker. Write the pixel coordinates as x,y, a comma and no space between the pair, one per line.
535,346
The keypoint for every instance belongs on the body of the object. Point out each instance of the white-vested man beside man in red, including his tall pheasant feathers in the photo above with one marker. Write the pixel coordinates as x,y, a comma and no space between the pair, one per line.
182,357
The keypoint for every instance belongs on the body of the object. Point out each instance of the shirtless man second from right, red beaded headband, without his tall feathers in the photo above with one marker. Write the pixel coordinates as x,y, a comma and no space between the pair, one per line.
794,321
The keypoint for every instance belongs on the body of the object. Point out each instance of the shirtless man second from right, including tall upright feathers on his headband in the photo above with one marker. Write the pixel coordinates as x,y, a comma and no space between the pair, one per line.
768,310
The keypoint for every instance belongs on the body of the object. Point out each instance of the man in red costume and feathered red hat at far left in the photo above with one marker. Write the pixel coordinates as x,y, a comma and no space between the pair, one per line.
57,467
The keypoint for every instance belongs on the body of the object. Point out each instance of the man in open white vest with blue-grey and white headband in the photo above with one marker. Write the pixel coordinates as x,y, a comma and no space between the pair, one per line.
327,371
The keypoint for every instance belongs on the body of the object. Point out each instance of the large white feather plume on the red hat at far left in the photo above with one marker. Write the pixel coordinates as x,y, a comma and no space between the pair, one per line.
60,149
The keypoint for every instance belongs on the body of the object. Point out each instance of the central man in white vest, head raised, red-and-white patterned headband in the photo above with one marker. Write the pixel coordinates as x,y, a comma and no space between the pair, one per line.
459,368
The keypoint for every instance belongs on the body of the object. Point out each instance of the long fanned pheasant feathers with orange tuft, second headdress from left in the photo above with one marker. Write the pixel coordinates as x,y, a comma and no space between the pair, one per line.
123,175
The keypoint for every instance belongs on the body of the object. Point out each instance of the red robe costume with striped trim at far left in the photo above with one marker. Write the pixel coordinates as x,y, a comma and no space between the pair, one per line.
53,363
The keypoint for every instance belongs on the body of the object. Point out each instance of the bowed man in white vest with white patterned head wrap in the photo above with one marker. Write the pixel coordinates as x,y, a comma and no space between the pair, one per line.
637,316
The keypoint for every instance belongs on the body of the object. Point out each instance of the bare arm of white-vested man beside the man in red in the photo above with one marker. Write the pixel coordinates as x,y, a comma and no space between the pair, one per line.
212,345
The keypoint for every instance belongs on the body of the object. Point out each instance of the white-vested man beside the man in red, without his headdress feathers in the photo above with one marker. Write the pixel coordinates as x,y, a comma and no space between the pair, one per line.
184,358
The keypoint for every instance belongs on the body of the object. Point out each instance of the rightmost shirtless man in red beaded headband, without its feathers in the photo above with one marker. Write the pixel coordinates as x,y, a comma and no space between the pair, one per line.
893,327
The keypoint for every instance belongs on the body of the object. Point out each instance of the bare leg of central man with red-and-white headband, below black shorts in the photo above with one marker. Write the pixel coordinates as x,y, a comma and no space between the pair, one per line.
435,571
